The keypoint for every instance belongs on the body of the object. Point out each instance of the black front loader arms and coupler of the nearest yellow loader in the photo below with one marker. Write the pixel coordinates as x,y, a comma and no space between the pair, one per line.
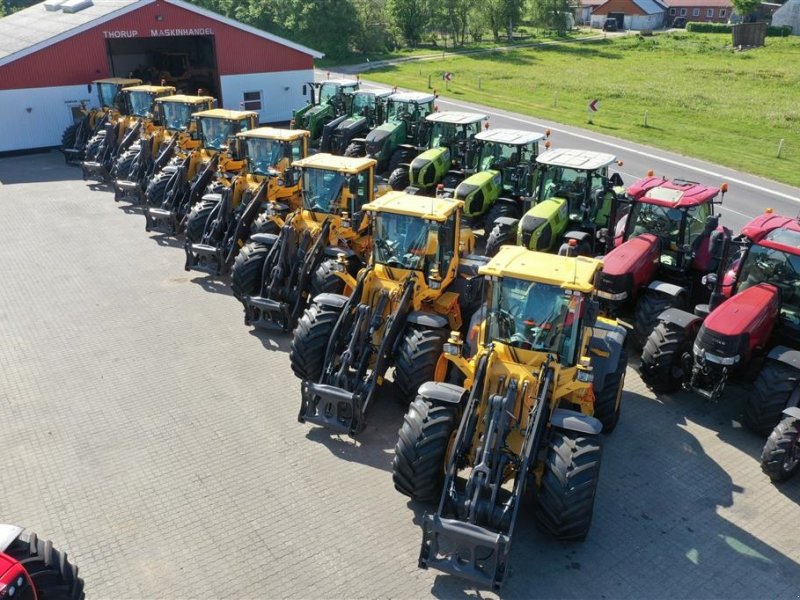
470,535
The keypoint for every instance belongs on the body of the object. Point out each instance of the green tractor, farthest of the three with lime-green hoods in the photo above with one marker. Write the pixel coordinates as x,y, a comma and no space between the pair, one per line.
449,158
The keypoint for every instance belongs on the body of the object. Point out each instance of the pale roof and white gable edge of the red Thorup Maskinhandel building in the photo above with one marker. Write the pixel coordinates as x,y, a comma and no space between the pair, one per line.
35,27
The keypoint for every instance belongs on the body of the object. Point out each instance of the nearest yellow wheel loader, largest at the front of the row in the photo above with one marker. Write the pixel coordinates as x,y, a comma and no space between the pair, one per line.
522,404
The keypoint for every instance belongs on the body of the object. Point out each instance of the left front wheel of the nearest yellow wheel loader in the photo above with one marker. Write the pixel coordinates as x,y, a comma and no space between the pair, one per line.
421,450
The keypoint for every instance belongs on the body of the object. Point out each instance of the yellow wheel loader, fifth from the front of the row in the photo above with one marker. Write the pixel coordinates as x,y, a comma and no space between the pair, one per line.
172,191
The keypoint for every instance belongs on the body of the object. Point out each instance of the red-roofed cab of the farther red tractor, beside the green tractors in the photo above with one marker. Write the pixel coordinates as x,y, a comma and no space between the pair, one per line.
679,213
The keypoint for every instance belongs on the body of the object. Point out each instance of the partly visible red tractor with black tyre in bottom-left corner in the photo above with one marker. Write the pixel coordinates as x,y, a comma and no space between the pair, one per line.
31,569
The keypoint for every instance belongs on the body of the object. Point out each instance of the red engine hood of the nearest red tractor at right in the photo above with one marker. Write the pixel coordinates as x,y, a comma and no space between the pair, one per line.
753,311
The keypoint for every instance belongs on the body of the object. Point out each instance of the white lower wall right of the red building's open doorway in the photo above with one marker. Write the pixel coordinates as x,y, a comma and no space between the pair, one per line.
277,102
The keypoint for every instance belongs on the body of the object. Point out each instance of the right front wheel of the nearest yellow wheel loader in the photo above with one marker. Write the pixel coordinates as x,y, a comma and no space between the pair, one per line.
565,499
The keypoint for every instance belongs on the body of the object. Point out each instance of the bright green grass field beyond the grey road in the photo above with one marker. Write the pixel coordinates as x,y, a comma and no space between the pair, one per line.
702,98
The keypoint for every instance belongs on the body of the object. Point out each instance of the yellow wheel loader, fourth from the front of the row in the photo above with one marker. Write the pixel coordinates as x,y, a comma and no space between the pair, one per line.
258,201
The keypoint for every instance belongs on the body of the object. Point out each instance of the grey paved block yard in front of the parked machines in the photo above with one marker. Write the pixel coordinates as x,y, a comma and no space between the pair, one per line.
153,437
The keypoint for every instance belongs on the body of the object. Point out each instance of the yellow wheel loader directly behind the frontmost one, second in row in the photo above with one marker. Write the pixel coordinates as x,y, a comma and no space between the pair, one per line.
416,288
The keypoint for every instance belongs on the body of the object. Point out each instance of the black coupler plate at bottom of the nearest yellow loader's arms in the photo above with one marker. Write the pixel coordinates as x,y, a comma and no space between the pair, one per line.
464,549
